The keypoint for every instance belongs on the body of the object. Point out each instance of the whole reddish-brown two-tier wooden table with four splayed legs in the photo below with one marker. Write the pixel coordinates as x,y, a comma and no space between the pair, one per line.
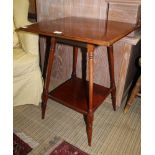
81,95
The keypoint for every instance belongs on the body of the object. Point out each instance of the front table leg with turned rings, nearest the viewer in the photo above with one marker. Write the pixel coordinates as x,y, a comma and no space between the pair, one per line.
90,115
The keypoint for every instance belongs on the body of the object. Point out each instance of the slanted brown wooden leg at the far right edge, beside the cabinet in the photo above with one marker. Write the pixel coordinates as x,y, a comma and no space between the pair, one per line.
134,93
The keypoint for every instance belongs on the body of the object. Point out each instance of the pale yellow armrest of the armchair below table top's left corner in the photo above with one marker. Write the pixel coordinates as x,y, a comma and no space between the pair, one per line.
29,41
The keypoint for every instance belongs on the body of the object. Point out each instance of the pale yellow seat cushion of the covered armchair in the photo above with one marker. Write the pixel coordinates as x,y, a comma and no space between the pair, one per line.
24,63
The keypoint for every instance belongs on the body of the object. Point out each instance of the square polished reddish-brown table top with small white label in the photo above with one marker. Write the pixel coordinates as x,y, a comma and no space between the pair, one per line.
87,30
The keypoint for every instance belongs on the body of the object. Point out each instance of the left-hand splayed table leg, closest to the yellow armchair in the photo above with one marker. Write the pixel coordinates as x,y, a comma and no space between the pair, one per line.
47,77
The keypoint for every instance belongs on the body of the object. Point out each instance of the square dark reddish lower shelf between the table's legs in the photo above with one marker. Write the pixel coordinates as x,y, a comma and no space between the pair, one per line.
74,94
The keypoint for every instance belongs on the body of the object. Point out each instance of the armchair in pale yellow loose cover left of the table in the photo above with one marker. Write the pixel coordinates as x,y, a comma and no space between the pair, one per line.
27,78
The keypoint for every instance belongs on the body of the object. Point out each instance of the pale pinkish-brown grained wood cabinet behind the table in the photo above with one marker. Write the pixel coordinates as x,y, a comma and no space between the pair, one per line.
119,10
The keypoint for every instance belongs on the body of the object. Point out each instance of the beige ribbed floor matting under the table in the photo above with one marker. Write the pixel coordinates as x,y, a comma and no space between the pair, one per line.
114,133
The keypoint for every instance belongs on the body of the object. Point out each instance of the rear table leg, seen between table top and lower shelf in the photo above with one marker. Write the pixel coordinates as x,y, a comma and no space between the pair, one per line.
75,54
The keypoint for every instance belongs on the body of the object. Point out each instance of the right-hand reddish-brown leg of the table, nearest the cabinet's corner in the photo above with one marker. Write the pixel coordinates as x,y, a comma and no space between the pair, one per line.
112,78
